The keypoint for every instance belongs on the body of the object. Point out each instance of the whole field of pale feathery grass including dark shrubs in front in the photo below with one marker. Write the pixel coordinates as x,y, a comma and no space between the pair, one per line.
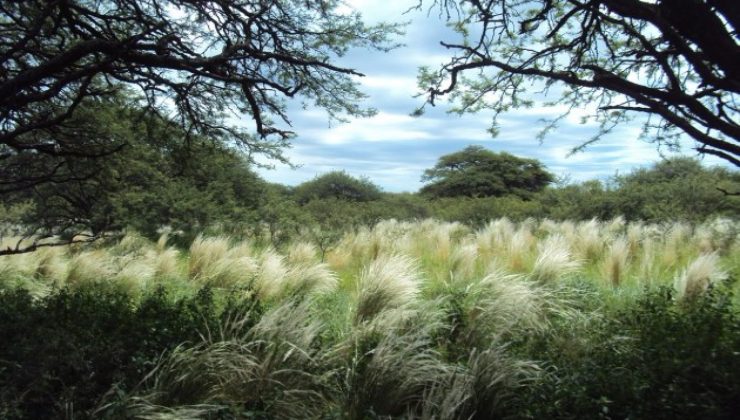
537,319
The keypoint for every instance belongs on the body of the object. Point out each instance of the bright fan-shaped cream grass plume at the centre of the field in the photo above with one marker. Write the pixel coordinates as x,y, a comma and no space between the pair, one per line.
390,281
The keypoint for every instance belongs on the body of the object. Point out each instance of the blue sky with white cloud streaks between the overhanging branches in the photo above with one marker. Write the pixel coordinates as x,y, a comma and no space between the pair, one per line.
393,149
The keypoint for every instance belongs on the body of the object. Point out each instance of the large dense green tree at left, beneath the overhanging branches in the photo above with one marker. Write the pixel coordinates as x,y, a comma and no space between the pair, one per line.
144,186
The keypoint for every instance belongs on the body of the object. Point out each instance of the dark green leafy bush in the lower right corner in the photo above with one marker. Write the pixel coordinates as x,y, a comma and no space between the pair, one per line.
654,359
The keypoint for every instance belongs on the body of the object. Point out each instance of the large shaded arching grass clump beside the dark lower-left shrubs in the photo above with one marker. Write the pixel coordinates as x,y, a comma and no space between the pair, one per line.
267,368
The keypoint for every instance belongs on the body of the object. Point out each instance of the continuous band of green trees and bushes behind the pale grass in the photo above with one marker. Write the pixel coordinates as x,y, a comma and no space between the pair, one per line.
162,177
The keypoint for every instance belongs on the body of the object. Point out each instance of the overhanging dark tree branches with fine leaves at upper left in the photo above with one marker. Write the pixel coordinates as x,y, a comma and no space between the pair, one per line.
196,63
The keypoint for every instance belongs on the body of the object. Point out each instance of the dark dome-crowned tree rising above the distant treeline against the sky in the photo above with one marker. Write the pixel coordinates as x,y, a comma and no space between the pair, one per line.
477,172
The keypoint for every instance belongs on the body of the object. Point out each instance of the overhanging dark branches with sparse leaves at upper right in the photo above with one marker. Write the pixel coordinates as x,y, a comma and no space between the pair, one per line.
677,62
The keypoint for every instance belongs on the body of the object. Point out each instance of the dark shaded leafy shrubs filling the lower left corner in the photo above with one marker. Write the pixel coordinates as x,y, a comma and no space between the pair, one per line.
59,355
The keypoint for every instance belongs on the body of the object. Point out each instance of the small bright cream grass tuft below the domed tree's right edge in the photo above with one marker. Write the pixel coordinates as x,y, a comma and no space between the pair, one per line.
554,260
